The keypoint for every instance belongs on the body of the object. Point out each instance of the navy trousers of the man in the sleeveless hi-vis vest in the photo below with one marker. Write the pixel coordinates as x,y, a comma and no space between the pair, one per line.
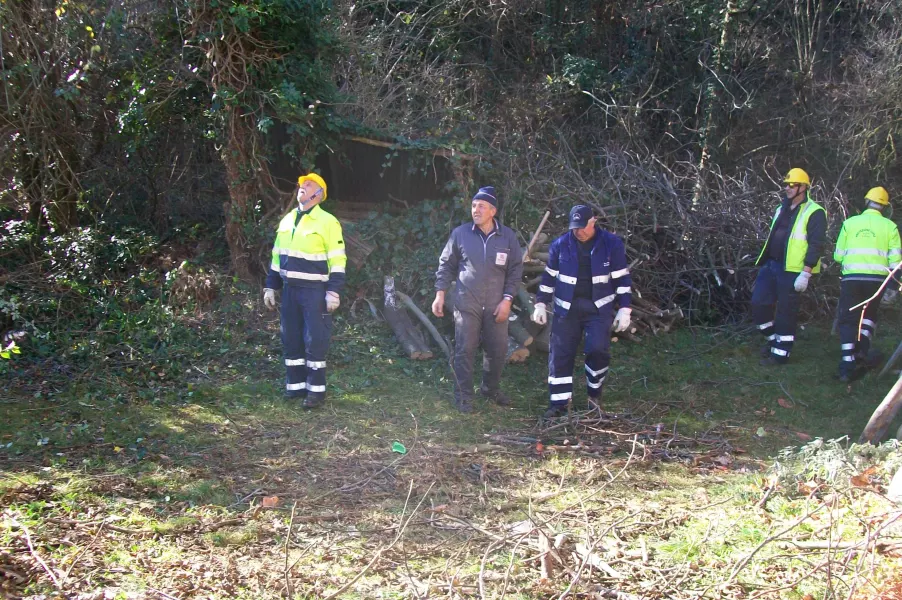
775,308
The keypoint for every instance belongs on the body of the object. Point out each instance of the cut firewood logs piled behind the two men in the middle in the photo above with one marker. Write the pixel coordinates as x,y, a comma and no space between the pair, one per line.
524,336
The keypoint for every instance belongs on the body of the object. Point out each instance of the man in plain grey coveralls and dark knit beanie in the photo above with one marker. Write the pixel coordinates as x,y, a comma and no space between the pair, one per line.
484,258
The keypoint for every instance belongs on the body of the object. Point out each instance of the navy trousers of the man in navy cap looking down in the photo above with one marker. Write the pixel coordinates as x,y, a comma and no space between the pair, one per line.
583,318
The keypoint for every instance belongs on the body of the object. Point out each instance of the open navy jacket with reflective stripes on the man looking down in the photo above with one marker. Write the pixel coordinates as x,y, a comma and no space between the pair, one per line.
610,273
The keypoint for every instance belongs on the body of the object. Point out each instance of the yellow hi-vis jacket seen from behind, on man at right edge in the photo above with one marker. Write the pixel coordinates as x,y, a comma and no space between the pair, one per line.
868,246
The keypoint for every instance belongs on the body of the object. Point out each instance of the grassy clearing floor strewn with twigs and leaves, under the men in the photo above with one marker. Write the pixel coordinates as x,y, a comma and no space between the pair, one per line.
129,481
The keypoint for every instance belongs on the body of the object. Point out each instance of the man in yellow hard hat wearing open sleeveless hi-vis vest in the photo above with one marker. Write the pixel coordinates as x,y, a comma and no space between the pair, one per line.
789,257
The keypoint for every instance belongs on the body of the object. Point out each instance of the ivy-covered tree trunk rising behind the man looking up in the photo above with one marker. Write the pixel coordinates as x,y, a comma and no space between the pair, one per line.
266,61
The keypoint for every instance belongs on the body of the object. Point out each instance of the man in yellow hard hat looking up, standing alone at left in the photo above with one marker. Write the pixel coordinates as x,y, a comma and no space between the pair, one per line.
308,265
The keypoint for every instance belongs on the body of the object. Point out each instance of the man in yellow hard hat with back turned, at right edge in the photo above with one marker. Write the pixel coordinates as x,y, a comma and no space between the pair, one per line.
868,248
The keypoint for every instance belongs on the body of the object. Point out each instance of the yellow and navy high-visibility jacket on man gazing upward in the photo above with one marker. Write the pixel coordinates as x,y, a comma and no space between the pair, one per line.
308,252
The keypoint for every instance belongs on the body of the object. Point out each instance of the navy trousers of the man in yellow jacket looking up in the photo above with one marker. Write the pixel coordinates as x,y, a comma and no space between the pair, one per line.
306,332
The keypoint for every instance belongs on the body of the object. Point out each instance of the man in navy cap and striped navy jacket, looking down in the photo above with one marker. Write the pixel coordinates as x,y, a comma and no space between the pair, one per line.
587,273
